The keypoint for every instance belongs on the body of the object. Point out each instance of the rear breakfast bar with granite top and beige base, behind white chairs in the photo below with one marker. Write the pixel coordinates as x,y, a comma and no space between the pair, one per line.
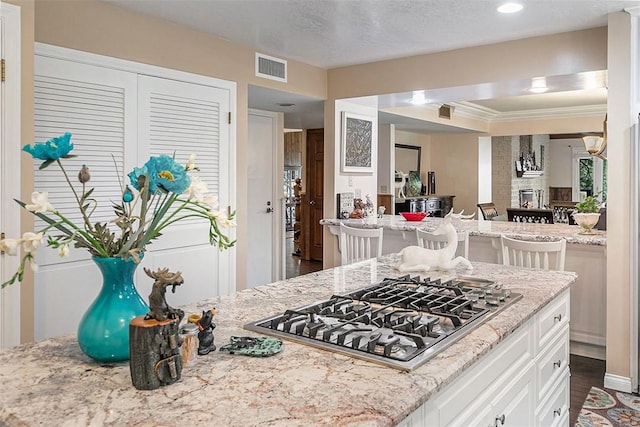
586,255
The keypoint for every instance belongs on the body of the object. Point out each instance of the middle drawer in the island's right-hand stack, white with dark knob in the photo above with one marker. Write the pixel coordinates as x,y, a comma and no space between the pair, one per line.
552,362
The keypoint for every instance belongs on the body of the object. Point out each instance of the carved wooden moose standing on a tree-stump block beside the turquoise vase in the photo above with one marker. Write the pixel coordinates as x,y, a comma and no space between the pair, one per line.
154,339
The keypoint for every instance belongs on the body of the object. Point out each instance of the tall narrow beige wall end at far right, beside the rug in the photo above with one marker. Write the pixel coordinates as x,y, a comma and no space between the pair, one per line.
621,80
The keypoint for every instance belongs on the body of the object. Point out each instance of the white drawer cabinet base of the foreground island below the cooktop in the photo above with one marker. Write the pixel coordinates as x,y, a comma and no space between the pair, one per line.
524,381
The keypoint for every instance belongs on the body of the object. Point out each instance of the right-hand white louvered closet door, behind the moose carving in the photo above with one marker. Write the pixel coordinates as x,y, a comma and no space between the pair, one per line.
178,119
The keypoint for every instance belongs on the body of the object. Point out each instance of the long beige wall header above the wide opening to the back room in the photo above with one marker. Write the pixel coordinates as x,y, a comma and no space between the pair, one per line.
556,54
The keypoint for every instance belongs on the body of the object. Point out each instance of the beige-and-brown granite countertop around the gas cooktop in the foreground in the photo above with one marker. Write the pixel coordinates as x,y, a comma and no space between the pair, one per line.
52,382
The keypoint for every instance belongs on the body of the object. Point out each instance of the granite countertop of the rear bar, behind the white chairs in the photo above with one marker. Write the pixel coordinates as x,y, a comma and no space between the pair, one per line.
519,230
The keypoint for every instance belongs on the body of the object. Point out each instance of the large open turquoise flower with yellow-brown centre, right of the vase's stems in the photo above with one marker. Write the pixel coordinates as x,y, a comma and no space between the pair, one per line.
164,174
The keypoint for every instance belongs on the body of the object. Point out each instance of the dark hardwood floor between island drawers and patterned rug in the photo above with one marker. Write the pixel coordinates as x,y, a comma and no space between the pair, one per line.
585,373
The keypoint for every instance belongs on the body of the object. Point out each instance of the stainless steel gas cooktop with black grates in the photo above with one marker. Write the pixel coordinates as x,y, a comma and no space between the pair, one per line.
399,322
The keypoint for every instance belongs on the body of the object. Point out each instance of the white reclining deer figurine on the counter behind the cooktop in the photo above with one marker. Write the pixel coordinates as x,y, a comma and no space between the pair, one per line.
416,258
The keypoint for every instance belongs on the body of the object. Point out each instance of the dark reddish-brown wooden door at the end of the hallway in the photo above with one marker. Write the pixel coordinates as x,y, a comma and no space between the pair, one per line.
315,191
